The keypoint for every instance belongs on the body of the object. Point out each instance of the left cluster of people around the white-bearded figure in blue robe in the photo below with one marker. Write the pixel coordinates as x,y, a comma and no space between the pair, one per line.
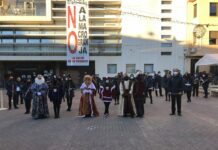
37,92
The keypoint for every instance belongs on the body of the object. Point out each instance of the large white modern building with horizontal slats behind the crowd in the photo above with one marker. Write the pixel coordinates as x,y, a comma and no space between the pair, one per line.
125,35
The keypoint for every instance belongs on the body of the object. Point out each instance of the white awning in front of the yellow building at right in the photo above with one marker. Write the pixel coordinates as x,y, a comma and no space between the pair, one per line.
208,59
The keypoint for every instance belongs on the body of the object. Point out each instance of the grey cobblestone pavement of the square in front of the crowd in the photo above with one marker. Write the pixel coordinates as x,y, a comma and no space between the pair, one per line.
197,129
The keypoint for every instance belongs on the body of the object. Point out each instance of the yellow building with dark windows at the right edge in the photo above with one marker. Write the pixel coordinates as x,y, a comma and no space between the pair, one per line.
202,32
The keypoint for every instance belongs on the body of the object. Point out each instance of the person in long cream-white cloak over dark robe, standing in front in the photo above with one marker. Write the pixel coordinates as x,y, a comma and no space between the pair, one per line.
126,106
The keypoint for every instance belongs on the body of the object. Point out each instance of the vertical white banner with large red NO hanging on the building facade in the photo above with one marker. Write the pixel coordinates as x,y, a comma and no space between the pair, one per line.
77,32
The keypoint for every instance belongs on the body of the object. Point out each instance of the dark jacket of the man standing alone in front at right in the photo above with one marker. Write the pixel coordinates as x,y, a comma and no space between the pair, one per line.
176,84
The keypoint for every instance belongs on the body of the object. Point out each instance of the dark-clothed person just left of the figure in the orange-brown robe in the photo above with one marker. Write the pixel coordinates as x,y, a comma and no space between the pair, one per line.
69,92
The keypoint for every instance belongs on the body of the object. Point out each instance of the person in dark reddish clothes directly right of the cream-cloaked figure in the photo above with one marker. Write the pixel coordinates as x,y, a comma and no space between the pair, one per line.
139,95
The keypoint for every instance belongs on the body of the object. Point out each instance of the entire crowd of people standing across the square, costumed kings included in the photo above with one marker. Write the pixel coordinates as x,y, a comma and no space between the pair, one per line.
128,91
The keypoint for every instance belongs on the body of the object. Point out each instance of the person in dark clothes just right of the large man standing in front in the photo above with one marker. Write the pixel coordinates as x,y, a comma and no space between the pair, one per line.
188,84
